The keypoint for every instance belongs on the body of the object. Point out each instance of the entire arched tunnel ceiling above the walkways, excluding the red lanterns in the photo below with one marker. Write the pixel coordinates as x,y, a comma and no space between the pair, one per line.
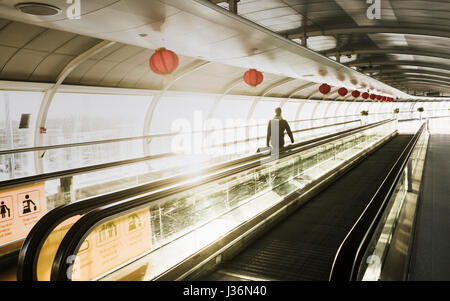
391,54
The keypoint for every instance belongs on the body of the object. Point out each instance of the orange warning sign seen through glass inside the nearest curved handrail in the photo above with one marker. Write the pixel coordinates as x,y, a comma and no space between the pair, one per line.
113,244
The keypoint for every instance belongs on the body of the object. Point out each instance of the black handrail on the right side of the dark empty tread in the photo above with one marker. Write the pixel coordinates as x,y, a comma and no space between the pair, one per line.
351,251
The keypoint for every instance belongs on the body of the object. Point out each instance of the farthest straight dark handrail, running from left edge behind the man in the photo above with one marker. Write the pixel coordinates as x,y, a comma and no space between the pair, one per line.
86,169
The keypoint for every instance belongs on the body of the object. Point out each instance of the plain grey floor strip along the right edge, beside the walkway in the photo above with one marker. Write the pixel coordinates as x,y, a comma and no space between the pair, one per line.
430,258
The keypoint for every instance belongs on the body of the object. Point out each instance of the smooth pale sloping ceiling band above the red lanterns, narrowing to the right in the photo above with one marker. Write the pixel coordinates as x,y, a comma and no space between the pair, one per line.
200,29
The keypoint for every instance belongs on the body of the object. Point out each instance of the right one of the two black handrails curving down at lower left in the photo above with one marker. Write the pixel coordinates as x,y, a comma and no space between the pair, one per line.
81,229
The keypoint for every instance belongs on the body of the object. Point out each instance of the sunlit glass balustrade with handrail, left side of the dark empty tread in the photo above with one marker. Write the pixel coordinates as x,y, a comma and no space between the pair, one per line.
184,226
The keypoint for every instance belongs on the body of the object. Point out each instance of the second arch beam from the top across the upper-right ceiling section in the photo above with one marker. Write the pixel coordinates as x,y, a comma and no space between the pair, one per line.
406,51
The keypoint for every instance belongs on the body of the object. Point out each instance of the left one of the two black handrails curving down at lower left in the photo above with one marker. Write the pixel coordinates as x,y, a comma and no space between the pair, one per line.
32,245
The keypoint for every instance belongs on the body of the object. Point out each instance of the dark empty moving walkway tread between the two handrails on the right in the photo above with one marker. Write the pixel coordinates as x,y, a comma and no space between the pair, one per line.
303,246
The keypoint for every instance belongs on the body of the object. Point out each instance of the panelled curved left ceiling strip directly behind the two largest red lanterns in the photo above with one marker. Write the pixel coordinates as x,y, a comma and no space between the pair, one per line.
37,54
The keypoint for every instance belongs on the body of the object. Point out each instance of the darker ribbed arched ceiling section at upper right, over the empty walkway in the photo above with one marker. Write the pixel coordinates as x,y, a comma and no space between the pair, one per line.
409,33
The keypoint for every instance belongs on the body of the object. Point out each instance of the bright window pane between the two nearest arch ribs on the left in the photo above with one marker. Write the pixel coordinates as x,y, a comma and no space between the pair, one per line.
77,117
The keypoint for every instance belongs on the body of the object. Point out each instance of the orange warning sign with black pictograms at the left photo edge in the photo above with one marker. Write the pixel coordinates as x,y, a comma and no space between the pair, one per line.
20,209
